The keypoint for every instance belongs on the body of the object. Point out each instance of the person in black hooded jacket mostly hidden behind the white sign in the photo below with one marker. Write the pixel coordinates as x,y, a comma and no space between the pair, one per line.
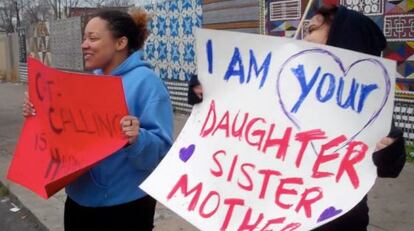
348,29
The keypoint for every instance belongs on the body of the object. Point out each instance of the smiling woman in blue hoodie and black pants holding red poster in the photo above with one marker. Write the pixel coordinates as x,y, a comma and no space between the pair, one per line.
107,197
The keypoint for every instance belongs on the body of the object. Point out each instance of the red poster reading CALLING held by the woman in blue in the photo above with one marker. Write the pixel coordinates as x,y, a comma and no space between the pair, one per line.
77,124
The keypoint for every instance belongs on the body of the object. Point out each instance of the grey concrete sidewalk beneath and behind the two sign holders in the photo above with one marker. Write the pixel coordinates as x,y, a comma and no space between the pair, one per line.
391,200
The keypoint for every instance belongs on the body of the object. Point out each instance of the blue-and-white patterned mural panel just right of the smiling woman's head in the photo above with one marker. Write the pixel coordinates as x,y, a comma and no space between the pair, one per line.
171,45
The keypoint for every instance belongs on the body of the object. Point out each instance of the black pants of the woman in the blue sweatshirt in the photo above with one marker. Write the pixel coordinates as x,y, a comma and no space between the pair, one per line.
135,215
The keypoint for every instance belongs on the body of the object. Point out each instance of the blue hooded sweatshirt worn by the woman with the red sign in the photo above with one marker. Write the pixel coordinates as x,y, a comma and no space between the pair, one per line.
115,180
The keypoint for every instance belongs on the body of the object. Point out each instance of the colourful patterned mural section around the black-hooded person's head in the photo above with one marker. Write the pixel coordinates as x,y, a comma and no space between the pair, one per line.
394,17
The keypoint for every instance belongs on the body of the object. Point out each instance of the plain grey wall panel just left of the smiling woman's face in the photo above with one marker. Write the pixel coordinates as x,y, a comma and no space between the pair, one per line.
65,43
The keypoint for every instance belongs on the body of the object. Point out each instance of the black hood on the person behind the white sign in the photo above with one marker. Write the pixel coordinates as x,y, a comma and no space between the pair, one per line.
354,31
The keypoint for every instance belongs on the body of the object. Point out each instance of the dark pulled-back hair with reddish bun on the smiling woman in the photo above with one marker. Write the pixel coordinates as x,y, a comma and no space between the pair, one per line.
133,26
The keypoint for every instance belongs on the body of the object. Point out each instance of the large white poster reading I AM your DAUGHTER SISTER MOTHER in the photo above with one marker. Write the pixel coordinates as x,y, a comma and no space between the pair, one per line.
283,138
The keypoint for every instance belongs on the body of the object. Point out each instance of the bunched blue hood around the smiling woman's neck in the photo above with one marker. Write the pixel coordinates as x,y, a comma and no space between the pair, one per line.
133,61
